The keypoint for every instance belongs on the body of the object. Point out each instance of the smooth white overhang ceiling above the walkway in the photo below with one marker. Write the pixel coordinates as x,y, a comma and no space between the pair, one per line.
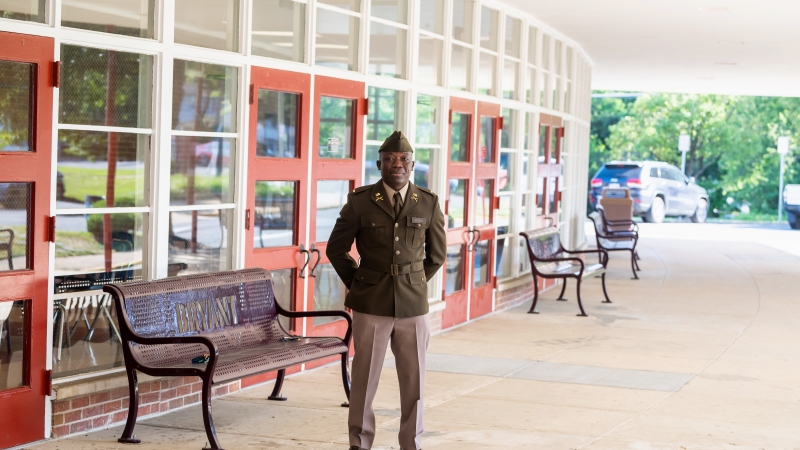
746,47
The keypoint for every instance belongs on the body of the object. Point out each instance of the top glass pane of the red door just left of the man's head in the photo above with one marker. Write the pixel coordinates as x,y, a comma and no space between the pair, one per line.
336,128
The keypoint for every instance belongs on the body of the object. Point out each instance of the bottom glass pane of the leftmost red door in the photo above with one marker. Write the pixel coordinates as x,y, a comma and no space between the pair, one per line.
13,335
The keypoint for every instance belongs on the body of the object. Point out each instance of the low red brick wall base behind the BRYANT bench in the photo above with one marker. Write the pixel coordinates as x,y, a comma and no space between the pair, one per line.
107,408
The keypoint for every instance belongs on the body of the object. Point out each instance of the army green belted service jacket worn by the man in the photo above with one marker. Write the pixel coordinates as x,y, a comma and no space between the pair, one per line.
398,254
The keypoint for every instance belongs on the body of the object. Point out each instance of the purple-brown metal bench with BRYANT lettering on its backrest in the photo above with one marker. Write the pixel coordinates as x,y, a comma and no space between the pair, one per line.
230,316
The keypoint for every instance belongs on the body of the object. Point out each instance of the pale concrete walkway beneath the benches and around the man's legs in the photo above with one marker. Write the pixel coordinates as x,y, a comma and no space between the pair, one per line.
701,353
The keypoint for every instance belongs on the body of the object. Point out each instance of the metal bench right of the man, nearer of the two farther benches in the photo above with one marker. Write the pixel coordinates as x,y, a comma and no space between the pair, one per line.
549,259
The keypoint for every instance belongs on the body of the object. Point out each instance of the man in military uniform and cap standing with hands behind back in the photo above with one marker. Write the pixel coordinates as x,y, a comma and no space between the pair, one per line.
399,233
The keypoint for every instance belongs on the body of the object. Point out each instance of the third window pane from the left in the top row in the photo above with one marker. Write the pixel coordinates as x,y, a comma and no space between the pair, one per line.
208,23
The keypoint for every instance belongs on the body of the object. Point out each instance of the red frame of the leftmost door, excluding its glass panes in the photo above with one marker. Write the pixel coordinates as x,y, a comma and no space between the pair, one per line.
24,419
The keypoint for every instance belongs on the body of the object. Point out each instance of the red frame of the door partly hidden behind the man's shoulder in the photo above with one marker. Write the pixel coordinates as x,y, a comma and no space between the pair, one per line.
333,169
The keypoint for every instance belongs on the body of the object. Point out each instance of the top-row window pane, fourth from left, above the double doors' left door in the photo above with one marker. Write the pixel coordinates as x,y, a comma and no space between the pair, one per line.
279,29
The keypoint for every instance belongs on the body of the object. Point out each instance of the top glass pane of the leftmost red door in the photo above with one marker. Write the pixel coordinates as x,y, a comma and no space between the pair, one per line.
16,106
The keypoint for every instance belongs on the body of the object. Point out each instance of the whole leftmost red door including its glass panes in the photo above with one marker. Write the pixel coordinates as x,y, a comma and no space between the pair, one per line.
26,110
